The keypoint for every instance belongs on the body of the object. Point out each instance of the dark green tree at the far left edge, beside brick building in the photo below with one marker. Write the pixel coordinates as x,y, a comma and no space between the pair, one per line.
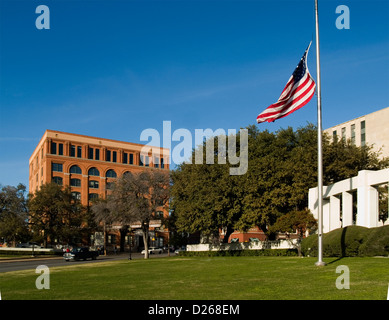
13,214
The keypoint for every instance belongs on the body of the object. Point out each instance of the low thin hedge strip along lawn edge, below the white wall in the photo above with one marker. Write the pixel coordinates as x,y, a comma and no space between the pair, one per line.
234,253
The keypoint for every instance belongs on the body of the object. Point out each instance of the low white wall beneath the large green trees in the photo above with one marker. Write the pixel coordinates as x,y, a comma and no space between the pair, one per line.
277,244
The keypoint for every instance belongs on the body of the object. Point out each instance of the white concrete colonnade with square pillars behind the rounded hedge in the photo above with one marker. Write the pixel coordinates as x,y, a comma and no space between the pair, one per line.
338,211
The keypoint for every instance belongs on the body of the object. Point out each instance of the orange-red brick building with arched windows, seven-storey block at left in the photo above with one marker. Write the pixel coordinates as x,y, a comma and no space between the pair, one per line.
89,165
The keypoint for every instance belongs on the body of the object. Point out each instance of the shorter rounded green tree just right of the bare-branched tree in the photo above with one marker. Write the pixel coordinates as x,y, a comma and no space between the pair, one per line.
205,197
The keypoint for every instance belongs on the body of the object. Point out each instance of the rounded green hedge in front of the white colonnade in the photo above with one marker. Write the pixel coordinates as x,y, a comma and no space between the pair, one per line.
352,241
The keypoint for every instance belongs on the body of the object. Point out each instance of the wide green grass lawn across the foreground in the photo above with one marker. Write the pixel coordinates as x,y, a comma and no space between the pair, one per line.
216,278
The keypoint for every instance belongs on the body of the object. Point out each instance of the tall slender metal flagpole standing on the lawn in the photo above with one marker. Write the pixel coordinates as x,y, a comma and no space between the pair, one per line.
320,261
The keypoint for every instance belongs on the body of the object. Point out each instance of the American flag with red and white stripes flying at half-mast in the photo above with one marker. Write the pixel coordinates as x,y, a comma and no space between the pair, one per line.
296,94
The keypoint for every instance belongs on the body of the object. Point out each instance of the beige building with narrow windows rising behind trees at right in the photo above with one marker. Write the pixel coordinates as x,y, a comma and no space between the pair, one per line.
371,129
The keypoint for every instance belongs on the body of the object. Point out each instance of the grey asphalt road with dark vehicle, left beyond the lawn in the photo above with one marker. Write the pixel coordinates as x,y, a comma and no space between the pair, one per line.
31,263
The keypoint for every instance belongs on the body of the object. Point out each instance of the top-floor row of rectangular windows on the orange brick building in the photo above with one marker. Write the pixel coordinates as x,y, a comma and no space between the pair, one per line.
110,155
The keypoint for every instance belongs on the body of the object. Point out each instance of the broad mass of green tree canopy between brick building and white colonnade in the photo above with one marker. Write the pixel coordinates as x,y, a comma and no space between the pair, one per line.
282,166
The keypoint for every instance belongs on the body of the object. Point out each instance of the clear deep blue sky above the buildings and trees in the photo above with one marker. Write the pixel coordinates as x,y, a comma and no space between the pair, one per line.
112,69
